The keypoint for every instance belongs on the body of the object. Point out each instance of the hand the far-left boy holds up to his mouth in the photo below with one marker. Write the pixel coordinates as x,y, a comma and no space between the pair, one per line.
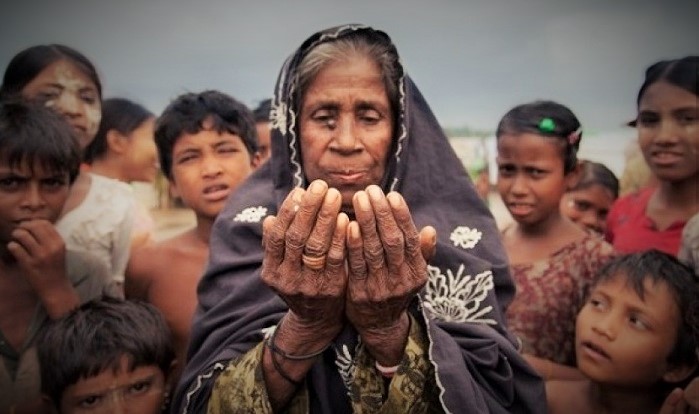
40,251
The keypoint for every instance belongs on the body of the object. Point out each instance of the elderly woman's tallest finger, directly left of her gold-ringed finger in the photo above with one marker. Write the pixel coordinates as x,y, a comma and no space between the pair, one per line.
304,219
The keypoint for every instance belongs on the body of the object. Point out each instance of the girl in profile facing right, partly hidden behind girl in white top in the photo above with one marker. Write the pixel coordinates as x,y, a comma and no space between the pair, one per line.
124,149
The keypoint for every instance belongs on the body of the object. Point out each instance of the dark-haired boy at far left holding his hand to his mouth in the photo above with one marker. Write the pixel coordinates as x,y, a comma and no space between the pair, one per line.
39,279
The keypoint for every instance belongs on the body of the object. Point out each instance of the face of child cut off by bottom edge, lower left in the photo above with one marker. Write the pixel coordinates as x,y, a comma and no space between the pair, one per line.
139,391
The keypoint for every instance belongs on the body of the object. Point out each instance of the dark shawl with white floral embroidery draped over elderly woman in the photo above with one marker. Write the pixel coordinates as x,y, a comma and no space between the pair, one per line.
475,359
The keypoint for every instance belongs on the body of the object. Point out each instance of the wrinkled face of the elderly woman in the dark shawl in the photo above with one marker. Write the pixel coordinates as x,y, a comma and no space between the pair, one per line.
346,127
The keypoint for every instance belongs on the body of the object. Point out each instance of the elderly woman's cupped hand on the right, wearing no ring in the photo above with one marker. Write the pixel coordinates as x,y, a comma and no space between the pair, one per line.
387,260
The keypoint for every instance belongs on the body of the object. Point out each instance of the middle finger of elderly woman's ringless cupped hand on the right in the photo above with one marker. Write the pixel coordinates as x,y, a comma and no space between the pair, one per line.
391,235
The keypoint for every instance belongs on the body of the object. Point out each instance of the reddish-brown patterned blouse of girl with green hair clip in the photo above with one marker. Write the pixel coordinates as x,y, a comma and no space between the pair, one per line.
550,293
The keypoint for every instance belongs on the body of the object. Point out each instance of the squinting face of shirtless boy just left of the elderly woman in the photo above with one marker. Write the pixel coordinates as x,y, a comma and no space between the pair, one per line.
207,167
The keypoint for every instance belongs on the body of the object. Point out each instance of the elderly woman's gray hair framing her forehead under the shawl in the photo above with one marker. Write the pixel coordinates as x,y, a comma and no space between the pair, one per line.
359,43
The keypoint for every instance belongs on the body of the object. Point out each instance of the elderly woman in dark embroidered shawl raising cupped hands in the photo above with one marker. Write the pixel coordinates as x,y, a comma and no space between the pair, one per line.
318,296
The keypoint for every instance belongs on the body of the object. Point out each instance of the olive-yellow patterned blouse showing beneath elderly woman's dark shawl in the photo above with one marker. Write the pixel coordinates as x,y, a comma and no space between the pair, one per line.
241,387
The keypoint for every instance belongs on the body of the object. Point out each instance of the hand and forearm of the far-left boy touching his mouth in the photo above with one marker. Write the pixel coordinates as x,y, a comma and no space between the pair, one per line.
40,252
